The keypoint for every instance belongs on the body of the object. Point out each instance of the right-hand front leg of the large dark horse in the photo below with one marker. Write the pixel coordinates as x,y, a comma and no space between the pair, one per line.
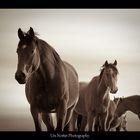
61,115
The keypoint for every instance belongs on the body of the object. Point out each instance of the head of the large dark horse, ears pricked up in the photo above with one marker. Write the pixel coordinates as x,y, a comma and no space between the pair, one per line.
28,55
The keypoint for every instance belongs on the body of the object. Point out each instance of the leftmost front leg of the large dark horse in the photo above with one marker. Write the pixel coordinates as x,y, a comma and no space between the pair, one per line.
35,115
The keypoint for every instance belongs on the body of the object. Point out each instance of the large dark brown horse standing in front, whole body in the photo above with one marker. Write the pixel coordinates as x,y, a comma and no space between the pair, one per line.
51,84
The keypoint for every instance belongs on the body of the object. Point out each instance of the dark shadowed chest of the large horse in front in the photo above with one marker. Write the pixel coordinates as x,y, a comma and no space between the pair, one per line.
46,97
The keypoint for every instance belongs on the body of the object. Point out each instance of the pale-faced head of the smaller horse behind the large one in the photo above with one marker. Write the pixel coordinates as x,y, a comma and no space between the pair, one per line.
110,75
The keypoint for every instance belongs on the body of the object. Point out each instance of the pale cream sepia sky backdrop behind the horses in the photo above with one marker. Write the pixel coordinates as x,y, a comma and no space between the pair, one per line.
86,38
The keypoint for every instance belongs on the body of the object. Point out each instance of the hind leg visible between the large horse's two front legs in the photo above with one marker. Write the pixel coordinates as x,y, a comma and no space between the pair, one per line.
48,120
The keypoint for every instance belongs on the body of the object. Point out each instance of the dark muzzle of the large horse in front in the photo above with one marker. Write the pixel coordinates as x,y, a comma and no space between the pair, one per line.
20,77
